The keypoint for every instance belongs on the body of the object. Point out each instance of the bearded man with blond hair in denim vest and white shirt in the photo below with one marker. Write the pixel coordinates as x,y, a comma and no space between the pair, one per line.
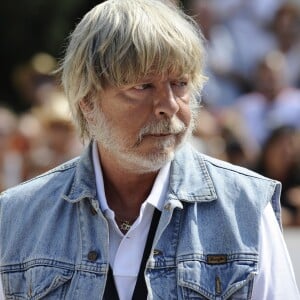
141,214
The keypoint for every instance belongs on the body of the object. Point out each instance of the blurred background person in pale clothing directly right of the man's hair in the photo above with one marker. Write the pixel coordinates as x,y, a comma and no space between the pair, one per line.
225,83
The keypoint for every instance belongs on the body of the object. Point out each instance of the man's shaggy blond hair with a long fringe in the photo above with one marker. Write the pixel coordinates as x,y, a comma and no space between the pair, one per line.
120,41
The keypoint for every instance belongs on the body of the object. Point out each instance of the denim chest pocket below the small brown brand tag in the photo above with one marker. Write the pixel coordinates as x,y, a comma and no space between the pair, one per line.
227,281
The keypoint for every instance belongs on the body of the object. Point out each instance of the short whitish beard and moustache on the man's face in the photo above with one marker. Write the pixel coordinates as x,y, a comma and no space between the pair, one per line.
128,155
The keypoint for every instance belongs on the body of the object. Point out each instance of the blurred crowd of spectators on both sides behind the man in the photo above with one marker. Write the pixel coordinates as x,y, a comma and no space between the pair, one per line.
250,112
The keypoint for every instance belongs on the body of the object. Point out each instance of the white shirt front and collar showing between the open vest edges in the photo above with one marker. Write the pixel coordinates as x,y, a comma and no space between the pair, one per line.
126,251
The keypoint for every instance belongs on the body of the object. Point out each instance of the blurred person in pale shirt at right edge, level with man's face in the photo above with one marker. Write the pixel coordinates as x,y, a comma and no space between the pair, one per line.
272,102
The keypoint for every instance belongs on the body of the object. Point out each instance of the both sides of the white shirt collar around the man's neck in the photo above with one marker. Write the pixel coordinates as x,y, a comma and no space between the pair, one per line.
156,197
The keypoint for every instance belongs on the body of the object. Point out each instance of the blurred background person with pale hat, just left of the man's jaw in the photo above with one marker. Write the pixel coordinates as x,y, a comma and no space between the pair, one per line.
57,141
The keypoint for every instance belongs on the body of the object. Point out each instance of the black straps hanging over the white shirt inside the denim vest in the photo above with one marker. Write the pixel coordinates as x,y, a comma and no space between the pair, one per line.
140,290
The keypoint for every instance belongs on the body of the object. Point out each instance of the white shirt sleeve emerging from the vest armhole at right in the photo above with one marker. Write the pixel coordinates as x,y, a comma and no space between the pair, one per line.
275,279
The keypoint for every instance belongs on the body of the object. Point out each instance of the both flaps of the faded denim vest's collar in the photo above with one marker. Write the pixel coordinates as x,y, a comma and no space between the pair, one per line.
186,169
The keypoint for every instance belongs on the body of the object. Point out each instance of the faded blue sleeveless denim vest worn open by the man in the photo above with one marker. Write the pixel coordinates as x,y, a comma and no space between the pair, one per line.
54,238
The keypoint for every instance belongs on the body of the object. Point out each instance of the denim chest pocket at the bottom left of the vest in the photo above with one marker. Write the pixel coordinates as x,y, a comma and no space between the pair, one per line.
38,282
